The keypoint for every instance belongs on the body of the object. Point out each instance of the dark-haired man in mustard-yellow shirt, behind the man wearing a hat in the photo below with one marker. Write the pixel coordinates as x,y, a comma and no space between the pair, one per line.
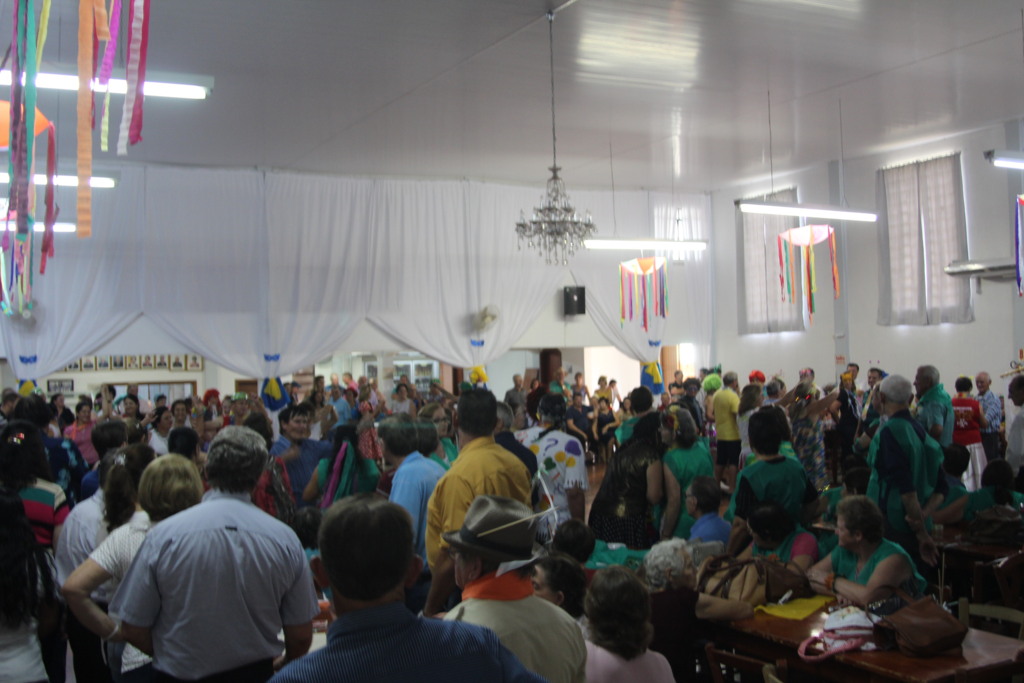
483,467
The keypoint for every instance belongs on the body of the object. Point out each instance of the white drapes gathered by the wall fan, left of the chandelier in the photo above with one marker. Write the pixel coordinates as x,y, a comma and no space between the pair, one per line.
449,250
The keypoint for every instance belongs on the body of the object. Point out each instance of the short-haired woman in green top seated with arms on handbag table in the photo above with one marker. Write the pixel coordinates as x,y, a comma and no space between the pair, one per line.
865,567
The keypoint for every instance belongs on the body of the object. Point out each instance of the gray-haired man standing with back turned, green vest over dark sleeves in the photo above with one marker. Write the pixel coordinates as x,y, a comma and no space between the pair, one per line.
907,479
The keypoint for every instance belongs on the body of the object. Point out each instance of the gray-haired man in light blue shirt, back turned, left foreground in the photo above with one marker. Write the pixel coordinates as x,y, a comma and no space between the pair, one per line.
212,587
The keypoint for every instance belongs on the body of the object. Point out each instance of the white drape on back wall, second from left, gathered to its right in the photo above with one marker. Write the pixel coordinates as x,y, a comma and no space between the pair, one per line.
205,263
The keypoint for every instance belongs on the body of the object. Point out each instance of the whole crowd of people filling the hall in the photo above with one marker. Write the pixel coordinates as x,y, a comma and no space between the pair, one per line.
451,533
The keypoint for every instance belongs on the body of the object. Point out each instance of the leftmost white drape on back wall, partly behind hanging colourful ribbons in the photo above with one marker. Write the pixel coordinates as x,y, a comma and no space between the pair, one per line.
89,294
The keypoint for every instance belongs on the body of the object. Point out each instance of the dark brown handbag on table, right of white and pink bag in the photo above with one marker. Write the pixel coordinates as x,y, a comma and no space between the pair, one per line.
923,628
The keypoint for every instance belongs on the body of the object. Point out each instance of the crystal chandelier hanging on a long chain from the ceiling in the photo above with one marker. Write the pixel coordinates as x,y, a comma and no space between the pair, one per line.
556,230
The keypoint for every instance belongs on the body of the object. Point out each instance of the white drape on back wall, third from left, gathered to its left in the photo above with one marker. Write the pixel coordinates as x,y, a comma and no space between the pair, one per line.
319,237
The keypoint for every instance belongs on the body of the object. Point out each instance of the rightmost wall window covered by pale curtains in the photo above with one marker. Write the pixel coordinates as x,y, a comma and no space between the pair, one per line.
922,230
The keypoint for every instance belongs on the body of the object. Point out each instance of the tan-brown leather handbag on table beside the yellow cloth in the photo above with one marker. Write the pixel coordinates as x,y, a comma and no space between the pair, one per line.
757,581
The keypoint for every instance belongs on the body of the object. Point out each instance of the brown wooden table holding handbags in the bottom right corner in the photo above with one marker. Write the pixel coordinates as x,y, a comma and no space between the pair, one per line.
774,638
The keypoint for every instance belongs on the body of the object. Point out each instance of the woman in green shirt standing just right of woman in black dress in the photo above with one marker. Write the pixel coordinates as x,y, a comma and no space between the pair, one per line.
689,458
